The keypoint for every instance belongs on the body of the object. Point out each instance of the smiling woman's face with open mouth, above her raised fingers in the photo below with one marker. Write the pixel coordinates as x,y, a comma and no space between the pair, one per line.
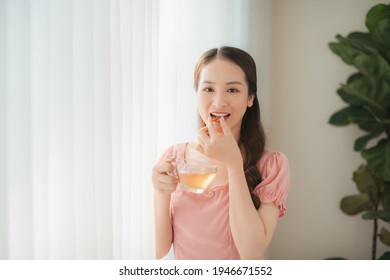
223,91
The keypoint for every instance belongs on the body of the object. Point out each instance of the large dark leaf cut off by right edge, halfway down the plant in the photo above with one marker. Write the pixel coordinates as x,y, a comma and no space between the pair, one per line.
378,159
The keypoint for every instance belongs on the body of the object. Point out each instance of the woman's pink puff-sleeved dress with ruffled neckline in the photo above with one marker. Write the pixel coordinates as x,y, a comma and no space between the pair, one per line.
201,221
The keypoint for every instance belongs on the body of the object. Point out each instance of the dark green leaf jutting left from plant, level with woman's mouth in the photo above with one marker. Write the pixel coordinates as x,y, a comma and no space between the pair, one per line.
350,115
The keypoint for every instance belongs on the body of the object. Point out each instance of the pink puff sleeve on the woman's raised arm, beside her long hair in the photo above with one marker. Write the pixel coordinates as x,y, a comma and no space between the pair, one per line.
275,185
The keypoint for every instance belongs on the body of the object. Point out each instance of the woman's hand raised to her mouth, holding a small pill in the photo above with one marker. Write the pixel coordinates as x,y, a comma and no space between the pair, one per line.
219,144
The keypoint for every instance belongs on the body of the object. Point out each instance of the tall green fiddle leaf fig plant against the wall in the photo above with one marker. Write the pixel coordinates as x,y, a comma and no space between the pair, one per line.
366,93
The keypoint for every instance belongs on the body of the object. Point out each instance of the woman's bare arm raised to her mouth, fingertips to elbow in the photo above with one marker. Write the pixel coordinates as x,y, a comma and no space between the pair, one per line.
252,229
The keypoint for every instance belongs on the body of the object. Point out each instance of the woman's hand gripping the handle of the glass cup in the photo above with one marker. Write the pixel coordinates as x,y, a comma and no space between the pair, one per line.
164,177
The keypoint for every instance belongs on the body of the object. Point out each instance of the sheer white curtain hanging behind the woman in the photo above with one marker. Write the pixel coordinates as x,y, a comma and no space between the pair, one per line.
91,92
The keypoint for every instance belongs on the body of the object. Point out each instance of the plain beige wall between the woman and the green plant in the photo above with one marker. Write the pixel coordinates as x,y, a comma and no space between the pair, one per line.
304,78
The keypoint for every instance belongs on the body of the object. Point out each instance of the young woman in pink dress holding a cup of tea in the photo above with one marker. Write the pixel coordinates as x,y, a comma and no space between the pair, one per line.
237,218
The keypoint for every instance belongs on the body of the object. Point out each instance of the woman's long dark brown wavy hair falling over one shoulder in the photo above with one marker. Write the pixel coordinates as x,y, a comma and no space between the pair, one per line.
252,136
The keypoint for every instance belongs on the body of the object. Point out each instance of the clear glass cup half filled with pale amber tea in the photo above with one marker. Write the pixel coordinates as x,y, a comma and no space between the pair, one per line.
195,176
